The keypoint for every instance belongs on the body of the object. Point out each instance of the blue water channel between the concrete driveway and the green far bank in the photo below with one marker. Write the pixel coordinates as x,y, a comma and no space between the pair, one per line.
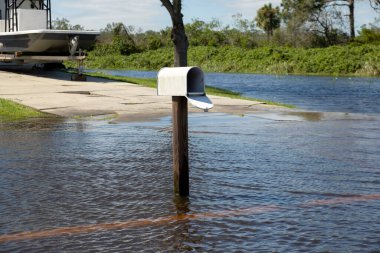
326,93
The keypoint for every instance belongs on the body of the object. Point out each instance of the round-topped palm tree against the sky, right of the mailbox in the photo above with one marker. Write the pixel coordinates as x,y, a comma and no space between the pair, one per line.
268,18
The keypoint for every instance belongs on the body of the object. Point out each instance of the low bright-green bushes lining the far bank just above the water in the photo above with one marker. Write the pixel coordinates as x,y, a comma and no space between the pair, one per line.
335,60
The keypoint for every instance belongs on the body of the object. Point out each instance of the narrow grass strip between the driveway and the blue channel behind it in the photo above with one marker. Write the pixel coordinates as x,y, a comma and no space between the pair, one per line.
152,83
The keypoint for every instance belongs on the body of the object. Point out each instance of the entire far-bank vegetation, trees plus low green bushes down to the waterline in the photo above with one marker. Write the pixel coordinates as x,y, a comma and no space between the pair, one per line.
301,37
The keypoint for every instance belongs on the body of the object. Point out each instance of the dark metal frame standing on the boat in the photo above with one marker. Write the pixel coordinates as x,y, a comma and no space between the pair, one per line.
11,7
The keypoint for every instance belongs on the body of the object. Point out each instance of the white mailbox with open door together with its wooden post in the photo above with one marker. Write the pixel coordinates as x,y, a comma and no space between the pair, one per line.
183,84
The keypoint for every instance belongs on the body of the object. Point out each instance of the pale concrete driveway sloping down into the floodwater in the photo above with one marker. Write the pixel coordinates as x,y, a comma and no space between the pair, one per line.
53,92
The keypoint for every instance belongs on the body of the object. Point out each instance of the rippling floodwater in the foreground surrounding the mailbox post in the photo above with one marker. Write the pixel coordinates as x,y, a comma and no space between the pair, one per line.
263,182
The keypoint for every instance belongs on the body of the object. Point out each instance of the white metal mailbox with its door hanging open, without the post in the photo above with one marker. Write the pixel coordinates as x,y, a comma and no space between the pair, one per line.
184,81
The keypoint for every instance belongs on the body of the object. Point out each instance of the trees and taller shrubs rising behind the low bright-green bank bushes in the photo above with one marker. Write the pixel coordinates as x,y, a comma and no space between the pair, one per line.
289,27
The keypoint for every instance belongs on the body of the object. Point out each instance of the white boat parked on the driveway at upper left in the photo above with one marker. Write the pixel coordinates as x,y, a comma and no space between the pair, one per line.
25,29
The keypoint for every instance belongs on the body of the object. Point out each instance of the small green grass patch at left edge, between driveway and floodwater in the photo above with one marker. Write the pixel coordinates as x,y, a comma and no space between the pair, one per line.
11,111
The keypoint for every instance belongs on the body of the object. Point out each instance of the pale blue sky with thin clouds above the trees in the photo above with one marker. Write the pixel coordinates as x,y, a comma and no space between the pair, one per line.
151,15
